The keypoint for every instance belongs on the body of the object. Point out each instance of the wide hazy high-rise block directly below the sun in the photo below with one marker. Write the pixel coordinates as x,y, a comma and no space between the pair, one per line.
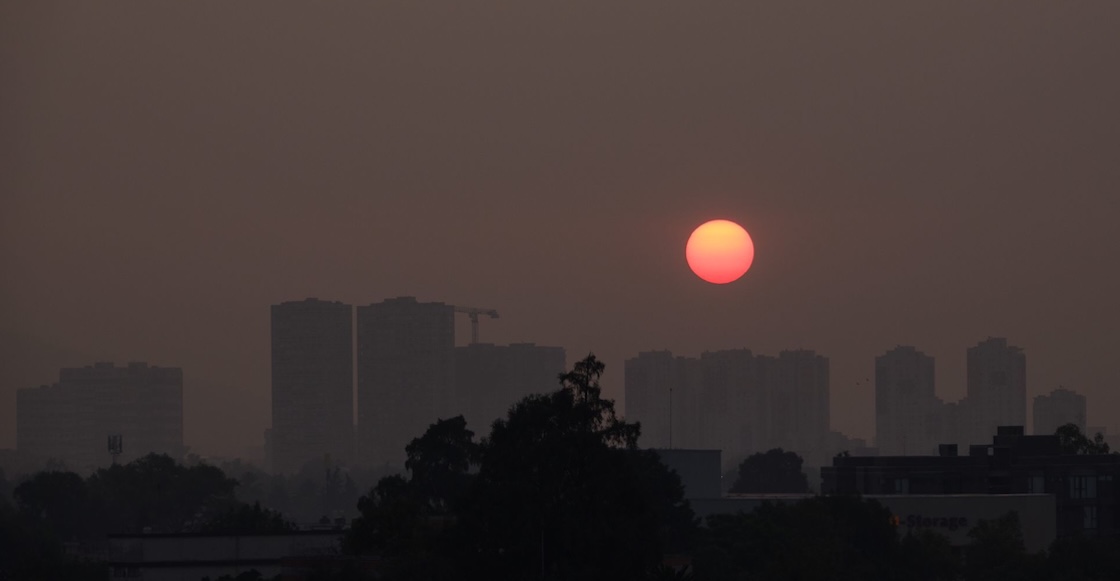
733,401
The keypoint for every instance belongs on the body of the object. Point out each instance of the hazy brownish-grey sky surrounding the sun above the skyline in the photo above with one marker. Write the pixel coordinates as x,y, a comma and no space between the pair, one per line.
920,174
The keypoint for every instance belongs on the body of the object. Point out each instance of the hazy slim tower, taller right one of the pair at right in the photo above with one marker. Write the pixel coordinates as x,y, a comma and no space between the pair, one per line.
997,389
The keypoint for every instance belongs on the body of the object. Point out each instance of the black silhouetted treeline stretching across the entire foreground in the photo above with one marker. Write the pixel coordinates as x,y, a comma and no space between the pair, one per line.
558,490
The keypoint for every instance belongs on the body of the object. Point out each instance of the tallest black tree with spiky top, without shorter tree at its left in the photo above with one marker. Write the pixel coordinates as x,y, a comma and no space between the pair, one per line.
564,492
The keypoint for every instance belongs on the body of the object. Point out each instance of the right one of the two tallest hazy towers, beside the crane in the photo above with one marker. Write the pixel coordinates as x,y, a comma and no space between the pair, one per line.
406,376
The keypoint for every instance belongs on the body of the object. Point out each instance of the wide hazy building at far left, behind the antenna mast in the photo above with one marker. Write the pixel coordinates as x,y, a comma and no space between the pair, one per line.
72,420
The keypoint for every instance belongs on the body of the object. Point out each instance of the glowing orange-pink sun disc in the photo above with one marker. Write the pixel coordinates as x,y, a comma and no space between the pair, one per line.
720,251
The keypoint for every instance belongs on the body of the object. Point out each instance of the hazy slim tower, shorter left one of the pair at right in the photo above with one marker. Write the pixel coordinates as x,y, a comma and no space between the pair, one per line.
909,416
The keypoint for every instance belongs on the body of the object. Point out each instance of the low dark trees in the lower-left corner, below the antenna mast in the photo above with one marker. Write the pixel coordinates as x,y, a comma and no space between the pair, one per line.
53,510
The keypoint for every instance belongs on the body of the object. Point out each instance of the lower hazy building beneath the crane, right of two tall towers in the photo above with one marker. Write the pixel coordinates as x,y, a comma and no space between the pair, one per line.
490,379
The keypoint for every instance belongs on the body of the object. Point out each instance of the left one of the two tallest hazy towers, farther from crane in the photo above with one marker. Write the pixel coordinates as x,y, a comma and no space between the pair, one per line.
313,383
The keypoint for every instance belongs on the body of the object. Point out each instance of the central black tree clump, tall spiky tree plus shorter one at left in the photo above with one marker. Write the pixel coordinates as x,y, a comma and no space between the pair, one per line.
558,491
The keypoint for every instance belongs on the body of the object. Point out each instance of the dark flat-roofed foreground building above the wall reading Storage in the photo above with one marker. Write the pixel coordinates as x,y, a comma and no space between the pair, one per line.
1085,486
